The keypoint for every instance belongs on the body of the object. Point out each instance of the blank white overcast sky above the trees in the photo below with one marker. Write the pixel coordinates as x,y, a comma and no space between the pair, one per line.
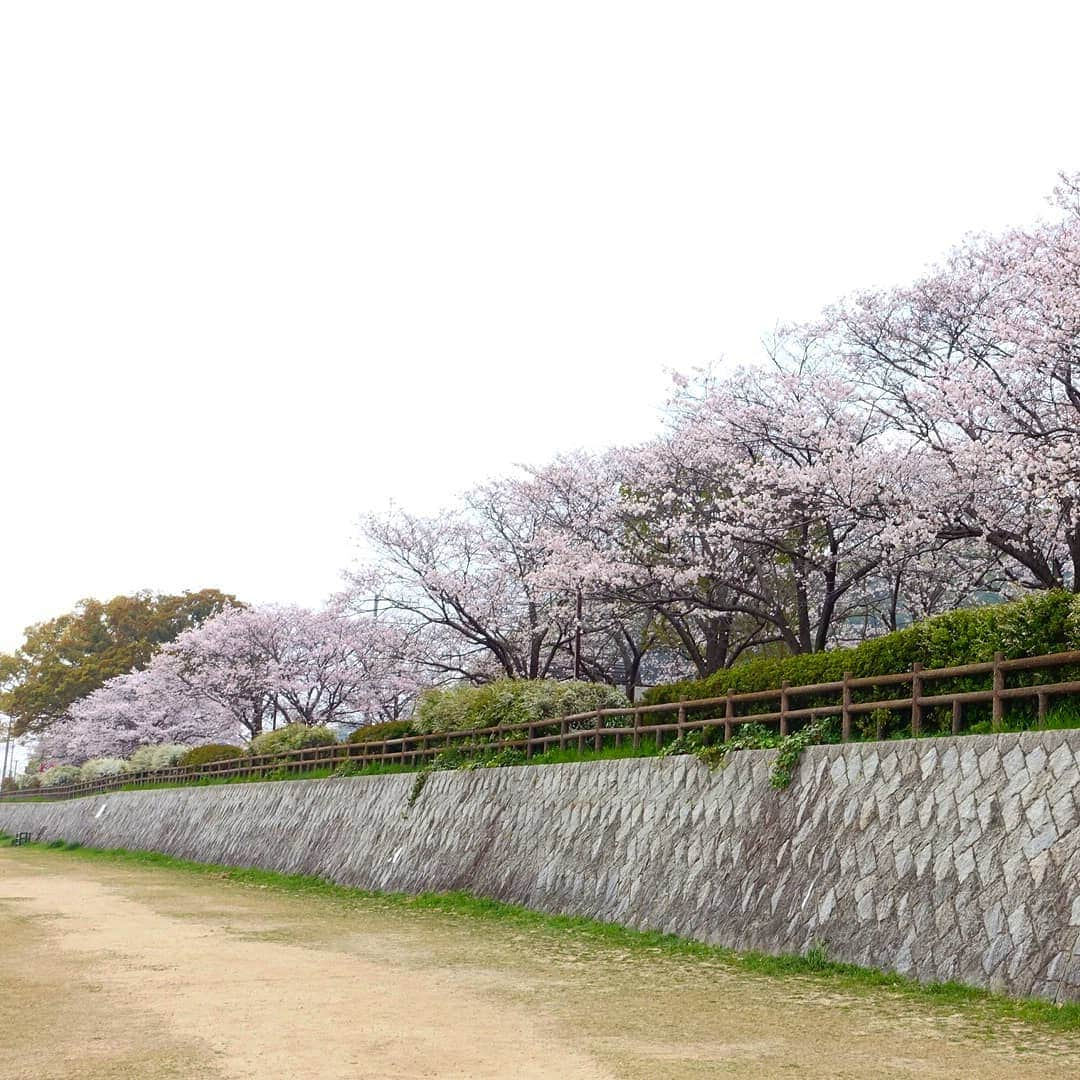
266,266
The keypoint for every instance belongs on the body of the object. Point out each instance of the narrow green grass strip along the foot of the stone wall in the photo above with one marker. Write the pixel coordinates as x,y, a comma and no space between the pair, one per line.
814,964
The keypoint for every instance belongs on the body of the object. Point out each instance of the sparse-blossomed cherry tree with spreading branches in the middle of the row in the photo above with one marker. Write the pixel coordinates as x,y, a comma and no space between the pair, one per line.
501,585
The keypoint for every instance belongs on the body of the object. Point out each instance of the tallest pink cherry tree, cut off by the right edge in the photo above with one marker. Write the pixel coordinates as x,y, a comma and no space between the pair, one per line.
978,362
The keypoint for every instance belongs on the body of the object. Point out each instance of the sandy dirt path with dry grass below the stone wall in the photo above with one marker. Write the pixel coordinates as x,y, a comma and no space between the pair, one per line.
112,971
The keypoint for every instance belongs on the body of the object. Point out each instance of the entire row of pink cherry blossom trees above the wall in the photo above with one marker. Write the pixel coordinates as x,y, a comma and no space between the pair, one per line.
910,452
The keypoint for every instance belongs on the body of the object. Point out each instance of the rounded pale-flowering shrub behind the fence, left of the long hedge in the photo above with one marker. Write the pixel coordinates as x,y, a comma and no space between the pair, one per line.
511,701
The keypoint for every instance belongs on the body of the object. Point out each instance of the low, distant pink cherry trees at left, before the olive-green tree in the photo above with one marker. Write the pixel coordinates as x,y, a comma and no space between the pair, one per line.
239,673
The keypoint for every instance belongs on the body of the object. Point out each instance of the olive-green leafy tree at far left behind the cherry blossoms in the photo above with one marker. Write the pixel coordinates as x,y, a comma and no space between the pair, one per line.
66,658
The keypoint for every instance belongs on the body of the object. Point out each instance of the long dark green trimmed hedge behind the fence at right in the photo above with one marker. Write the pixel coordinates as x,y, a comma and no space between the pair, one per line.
1046,623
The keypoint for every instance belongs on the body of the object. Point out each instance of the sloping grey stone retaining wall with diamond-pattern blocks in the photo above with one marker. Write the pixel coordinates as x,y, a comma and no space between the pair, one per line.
946,859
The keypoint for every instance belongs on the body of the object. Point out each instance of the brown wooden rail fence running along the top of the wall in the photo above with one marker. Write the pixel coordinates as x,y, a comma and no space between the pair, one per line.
593,731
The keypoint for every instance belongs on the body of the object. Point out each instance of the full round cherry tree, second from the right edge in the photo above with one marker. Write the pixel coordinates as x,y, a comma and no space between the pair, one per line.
771,505
